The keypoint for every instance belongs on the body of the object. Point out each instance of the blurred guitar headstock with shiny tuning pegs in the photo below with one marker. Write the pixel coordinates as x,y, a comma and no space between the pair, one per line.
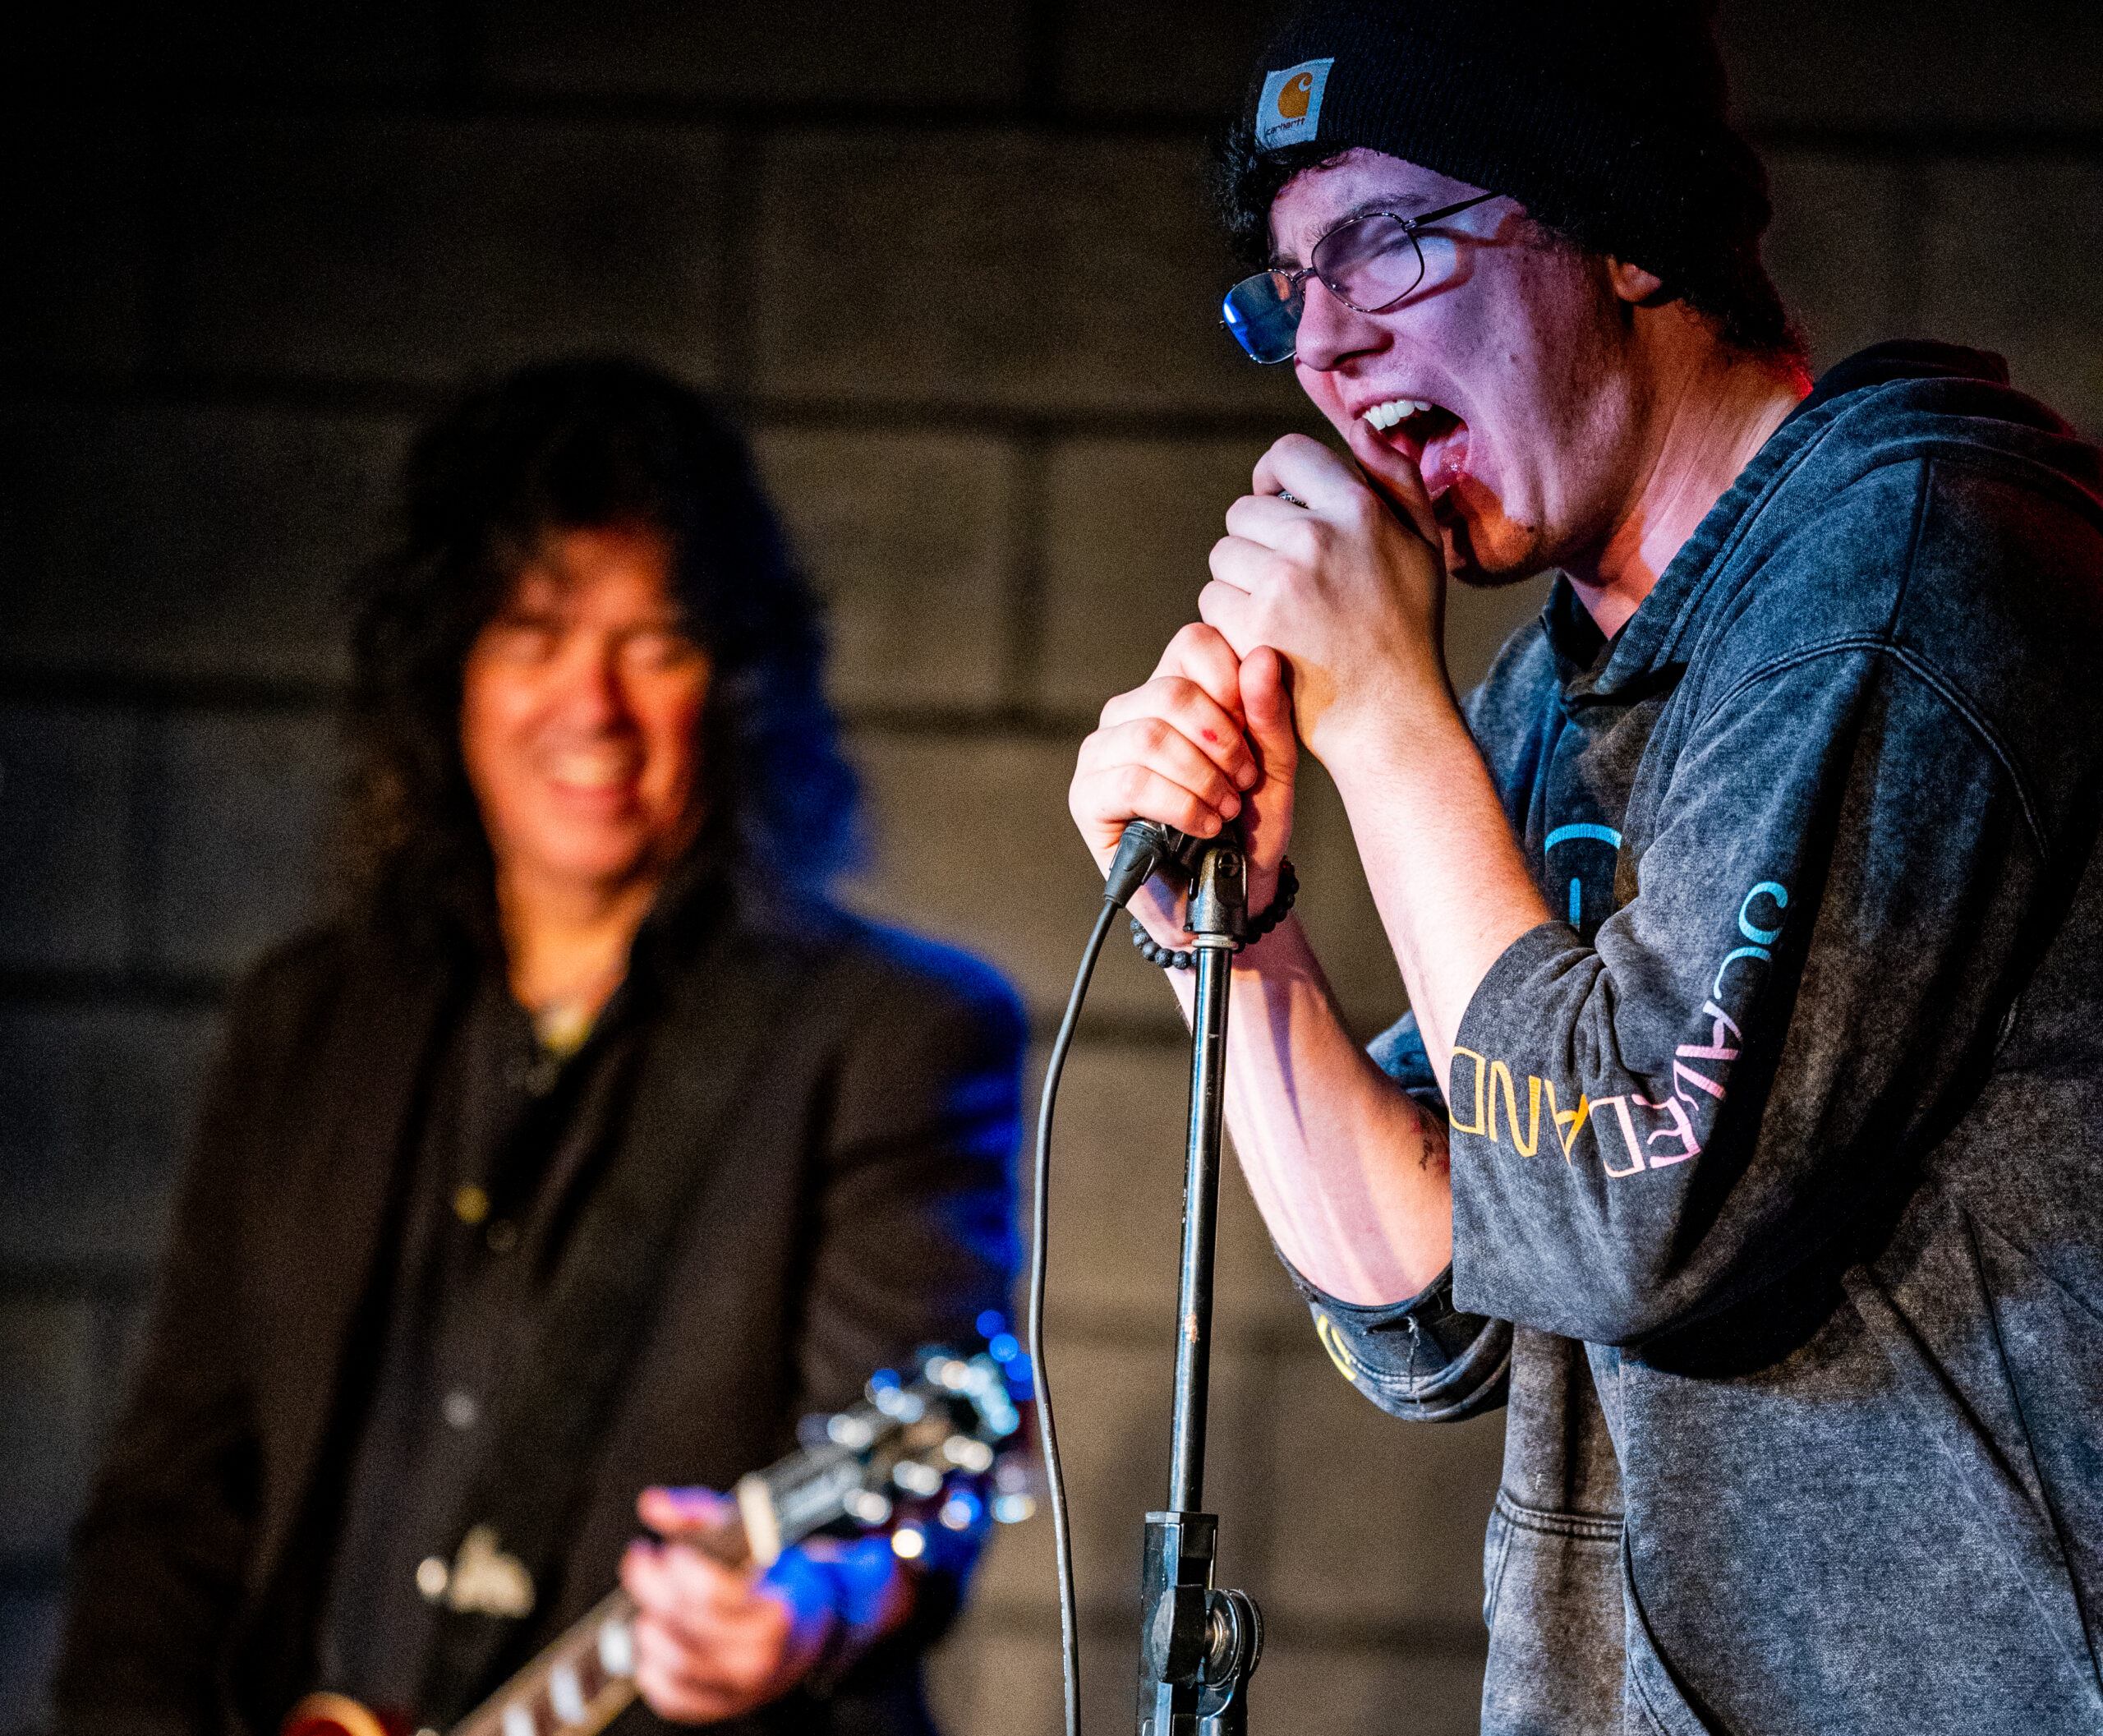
941,1449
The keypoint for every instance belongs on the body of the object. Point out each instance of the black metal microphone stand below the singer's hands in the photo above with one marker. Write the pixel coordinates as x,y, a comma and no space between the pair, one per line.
1200,1647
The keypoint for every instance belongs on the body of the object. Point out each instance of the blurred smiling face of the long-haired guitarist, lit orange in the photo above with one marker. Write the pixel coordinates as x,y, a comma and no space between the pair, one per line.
579,719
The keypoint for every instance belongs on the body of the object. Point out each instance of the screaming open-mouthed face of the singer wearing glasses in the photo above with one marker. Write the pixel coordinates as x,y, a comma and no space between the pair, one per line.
1511,378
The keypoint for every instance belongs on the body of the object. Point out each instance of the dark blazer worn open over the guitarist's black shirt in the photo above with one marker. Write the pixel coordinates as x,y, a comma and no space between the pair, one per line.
851,1097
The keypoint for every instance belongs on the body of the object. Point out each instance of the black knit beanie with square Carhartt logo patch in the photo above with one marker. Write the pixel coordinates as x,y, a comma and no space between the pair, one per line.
1604,119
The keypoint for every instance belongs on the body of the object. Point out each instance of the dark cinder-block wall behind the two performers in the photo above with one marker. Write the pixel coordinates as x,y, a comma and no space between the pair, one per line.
950,264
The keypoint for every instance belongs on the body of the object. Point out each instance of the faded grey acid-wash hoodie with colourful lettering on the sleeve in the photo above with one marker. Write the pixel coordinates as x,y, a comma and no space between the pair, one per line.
1778,1171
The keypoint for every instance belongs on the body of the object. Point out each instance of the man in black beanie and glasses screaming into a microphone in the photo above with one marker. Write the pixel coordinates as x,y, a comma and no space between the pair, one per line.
1744,1129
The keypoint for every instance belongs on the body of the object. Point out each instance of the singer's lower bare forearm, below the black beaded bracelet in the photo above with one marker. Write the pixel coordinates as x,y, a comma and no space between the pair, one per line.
1349,1173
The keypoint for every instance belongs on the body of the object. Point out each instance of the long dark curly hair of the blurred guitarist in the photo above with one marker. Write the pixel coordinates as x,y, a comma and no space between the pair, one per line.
571,447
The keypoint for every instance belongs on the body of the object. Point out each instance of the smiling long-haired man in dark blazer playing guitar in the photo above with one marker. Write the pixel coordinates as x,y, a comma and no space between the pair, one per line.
579,1158
